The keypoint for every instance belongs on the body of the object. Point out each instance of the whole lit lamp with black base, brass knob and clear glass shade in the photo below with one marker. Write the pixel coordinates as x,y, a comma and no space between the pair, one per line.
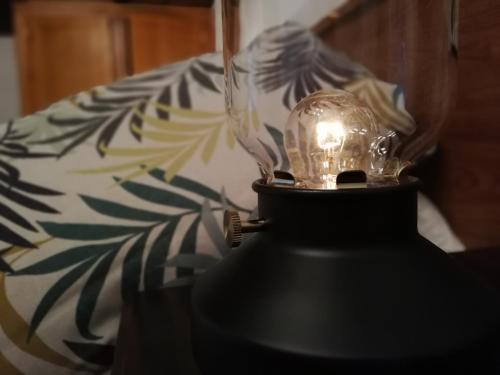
335,99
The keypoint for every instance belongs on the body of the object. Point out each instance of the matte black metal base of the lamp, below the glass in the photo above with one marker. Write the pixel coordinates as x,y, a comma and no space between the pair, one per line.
342,283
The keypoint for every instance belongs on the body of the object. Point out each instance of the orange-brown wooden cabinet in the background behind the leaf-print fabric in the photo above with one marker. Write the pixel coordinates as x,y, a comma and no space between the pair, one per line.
64,47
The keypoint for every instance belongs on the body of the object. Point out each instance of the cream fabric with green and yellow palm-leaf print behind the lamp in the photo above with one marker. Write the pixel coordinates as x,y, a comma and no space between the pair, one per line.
120,189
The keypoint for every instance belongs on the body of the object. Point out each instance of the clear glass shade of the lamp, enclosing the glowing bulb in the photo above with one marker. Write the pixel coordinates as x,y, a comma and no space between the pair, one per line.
320,87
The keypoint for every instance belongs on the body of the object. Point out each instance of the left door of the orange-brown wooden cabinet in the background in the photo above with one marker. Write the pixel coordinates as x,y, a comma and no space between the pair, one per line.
66,48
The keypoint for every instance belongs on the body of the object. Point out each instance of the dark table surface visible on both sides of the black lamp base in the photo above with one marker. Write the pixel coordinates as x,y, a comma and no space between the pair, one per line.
154,333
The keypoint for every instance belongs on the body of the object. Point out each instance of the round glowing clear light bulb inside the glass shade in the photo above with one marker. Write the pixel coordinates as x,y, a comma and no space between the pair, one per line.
330,132
